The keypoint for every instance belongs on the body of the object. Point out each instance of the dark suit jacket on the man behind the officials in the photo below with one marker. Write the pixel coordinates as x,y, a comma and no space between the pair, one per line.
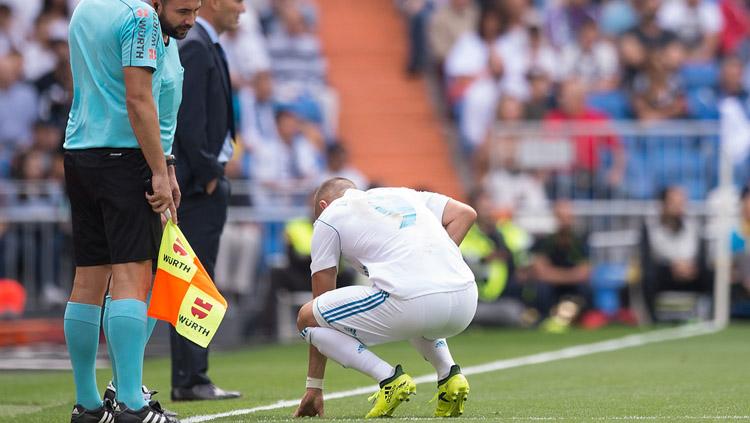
205,114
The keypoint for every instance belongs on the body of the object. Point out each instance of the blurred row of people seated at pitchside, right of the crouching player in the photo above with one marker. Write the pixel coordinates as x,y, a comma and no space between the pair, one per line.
558,279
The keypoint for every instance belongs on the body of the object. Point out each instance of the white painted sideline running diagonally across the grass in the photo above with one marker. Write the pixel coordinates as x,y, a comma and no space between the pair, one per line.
629,341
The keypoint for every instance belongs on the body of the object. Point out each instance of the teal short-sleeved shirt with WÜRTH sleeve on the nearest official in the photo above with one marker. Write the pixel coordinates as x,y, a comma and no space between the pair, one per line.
105,37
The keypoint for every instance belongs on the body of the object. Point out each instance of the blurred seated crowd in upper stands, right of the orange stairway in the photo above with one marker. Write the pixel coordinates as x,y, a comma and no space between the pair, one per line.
503,62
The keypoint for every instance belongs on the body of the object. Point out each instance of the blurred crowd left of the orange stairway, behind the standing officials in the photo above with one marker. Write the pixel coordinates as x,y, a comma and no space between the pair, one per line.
286,113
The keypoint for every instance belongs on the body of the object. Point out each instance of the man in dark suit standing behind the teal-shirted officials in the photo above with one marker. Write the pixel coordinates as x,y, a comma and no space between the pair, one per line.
203,144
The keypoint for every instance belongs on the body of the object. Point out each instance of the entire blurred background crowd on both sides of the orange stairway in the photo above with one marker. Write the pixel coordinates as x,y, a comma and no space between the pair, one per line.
505,61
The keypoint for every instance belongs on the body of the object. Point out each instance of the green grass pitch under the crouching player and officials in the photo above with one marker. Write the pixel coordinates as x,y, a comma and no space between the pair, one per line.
703,378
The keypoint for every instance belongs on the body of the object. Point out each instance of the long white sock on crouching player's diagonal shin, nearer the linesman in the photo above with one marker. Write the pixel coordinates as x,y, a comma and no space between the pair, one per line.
348,352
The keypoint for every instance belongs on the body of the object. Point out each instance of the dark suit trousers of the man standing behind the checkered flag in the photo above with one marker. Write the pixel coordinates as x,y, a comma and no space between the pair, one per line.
202,218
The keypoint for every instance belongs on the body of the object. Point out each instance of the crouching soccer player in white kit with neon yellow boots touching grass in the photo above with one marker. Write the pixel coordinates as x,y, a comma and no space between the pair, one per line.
406,242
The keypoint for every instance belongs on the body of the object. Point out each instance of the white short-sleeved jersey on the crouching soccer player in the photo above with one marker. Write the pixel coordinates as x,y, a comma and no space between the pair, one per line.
395,237
